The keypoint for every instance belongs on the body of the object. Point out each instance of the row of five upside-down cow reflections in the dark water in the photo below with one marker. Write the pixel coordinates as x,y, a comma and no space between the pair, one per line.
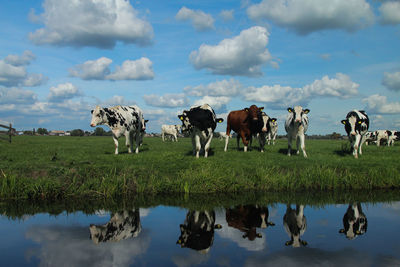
197,231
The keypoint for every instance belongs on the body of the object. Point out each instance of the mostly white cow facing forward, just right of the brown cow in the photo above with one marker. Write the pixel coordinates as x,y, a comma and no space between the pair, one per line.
296,126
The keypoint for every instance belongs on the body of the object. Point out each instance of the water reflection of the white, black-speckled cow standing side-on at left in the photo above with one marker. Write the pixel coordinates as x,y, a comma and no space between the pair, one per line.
122,225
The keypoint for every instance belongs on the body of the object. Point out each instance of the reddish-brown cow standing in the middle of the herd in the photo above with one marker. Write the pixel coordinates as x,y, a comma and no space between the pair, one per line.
245,123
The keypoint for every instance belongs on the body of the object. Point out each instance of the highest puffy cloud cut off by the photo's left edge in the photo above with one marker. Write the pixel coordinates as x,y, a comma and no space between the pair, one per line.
13,71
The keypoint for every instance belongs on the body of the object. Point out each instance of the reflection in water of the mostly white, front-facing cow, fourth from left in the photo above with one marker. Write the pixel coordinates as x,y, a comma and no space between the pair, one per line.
295,225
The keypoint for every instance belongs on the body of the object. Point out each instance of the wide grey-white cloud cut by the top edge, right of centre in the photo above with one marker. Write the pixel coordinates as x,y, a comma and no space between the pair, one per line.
306,16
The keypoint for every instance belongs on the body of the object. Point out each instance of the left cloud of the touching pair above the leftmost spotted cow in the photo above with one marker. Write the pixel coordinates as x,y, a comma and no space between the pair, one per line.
92,69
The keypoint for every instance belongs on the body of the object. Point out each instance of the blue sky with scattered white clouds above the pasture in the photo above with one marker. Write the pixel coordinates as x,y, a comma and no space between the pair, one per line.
61,58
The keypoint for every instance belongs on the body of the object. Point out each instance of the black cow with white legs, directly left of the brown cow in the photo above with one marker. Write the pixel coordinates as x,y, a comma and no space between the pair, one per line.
200,122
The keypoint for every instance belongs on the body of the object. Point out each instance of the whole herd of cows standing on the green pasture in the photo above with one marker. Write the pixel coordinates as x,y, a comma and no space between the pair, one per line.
200,123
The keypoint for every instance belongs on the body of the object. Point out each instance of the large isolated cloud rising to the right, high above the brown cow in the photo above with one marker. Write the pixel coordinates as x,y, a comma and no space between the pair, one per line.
241,55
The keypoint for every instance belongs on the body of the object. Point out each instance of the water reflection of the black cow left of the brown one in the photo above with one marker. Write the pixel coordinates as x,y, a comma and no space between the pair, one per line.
197,232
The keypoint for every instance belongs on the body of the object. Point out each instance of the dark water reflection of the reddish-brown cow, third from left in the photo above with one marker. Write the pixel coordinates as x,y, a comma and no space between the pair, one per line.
247,218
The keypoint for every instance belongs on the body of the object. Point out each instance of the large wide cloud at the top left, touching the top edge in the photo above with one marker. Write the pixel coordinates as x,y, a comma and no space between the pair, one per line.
98,23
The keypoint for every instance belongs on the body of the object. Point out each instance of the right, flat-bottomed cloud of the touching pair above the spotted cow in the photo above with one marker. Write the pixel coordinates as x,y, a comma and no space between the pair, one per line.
141,69
